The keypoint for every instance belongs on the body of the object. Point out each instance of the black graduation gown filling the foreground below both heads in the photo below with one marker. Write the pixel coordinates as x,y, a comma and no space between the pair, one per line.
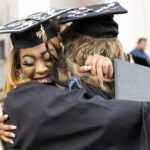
48,118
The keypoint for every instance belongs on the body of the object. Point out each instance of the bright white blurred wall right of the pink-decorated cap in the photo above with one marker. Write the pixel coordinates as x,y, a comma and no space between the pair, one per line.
135,24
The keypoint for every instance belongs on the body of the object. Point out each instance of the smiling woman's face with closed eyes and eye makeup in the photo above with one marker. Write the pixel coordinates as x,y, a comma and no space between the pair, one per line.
36,63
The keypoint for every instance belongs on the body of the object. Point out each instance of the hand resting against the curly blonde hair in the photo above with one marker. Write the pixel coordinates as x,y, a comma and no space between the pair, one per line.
98,66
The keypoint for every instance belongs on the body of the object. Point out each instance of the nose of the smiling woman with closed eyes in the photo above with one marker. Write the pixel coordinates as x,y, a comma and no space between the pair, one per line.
41,68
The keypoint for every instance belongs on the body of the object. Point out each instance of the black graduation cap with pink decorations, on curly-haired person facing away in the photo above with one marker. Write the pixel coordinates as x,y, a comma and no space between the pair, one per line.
96,21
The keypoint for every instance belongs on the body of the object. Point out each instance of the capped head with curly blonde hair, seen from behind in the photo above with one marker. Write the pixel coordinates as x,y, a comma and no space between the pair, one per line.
93,32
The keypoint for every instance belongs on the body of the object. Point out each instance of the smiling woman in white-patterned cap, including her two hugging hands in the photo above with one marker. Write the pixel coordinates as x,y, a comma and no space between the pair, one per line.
35,50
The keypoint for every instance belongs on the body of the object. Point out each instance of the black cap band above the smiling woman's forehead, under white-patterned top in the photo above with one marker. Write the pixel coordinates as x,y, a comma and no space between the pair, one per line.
29,38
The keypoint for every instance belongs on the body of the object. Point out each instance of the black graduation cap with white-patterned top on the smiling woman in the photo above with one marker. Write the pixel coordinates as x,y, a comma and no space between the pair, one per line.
28,32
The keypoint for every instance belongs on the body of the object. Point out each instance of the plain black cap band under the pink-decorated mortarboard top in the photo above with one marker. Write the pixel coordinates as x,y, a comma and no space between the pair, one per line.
101,27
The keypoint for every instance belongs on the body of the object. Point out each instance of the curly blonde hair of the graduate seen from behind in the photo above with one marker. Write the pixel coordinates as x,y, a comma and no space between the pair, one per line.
77,48
